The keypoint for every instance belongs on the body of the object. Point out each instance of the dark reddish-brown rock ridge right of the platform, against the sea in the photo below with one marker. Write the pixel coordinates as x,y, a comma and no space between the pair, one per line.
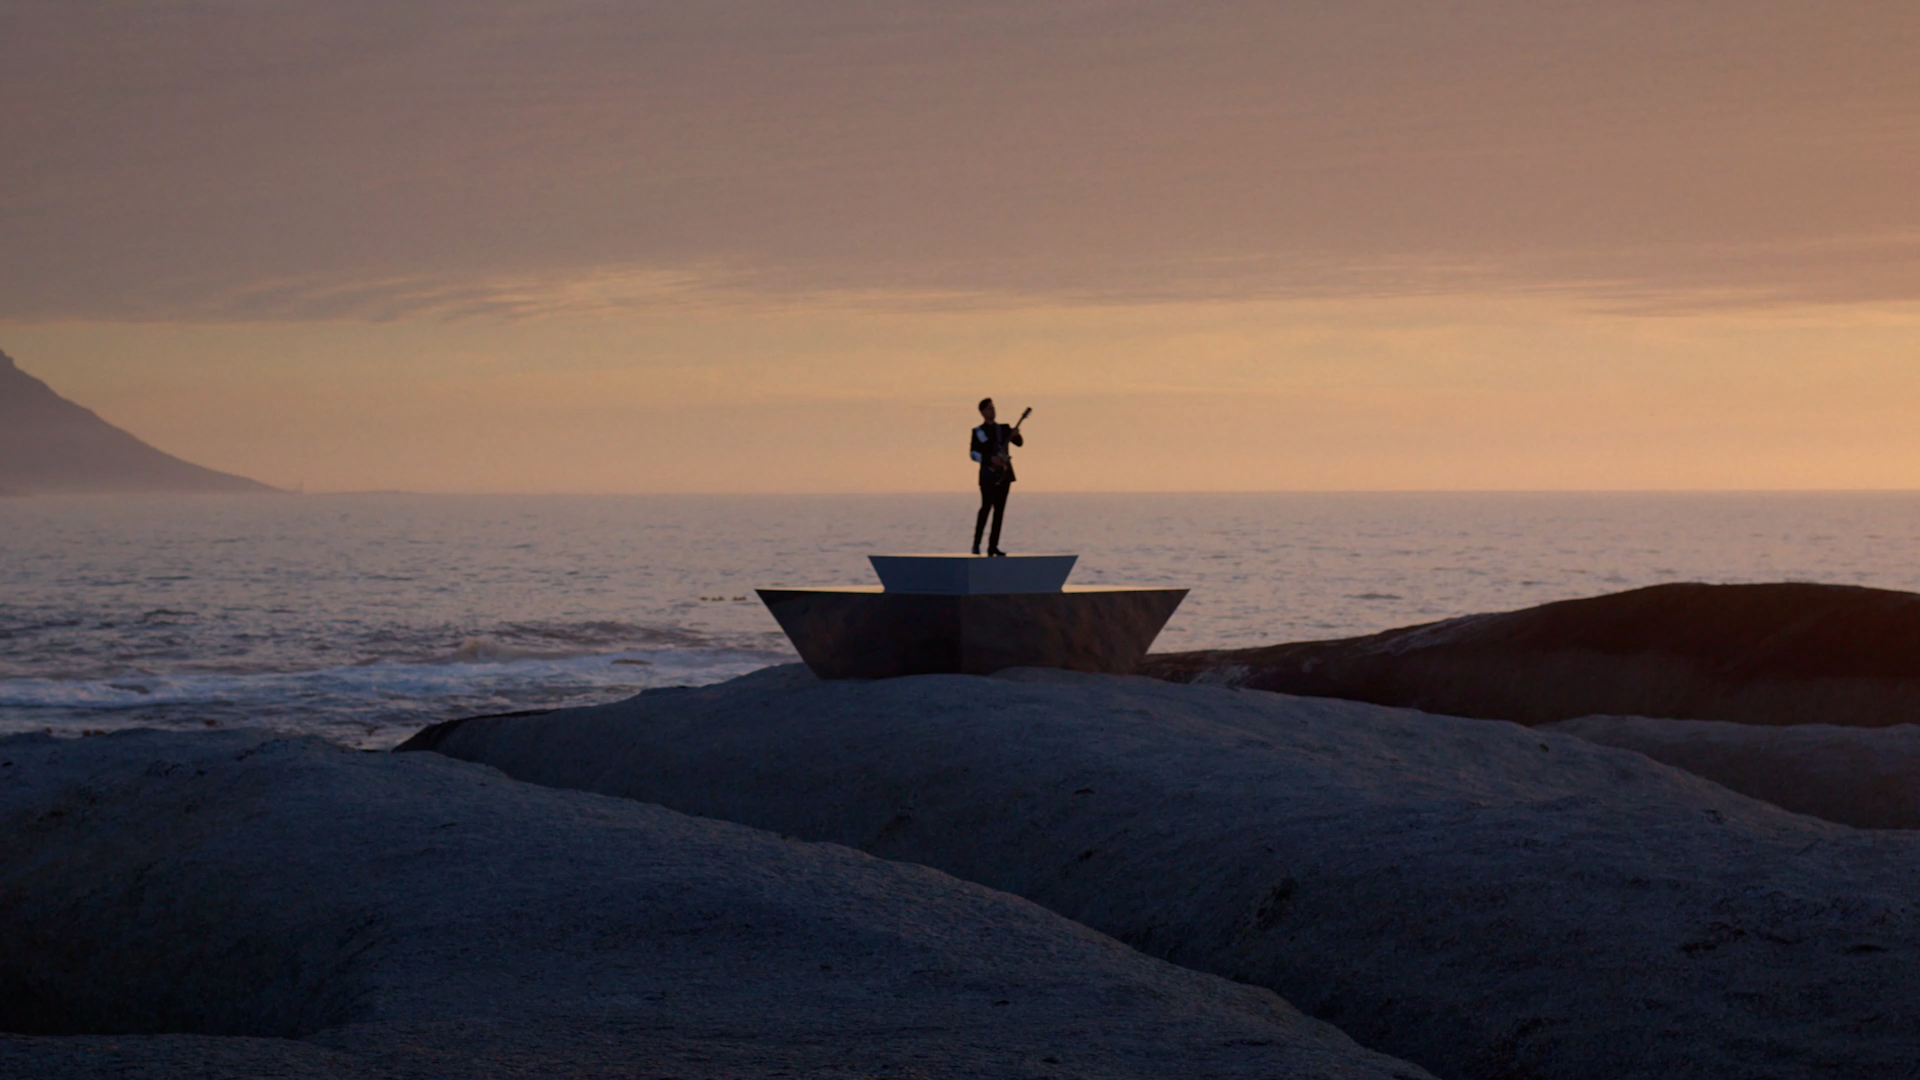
1760,654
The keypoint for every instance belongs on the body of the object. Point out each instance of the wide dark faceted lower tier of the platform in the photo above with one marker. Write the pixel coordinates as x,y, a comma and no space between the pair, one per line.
865,633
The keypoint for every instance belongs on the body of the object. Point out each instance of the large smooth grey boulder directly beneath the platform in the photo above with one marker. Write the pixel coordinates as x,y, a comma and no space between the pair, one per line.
1485,900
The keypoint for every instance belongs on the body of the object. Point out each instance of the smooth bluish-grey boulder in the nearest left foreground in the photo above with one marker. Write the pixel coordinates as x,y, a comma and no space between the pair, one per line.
235,904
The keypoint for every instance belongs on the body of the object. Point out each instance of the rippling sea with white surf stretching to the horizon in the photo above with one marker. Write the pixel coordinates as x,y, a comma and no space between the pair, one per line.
366,618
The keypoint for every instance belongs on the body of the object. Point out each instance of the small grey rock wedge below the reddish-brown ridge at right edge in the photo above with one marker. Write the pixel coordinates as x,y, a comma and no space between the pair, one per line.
1861,777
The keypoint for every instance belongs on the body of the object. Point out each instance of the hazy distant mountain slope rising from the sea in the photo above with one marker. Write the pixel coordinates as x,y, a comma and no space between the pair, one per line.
53,447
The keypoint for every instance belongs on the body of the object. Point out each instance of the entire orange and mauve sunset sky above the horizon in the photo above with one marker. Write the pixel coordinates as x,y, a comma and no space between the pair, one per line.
786,245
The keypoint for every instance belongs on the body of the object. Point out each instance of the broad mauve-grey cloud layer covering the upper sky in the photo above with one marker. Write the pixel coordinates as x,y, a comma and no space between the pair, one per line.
354,160
